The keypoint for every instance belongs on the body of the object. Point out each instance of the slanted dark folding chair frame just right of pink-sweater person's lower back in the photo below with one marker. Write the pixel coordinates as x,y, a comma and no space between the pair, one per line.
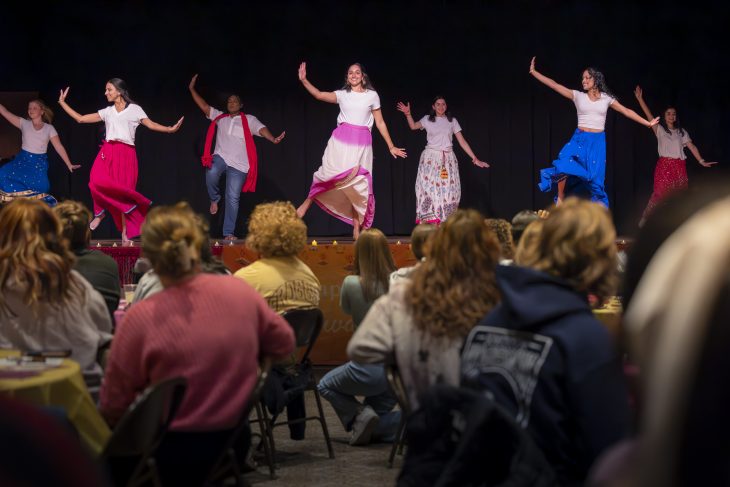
227,463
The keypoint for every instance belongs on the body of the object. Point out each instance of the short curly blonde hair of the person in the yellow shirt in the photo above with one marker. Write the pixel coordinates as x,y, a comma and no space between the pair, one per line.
275,230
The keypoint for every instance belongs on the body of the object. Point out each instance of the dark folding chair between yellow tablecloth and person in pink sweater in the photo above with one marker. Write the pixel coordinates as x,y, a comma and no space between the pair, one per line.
142,428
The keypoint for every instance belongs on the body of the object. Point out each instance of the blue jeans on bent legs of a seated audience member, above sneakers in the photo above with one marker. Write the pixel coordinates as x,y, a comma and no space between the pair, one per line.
341,385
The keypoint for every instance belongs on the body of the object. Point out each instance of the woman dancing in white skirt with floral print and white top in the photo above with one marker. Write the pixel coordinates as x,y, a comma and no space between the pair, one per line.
438,187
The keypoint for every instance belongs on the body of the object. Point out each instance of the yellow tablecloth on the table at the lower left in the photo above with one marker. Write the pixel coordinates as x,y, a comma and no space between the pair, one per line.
61,386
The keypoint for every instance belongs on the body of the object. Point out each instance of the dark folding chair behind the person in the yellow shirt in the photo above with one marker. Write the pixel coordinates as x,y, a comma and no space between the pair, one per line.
306,323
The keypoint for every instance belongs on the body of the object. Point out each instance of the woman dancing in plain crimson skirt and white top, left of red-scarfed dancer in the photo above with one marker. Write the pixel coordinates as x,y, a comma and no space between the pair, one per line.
113,177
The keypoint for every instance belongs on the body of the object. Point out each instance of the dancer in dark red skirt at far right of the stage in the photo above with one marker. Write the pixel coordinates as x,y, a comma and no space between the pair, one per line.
670,173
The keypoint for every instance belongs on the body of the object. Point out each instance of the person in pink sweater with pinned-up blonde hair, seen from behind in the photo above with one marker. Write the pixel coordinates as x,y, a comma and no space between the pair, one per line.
210,329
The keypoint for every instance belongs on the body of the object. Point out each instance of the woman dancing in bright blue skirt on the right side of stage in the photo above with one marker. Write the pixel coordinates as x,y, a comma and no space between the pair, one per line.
580,168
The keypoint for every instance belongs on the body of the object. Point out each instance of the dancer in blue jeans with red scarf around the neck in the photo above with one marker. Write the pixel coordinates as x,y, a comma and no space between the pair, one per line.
235,154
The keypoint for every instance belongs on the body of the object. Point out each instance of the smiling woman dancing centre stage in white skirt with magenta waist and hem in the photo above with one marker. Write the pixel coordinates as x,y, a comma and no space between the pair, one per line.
343,184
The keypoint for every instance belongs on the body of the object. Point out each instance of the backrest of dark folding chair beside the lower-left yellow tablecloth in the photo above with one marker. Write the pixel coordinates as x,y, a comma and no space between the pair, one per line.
147,419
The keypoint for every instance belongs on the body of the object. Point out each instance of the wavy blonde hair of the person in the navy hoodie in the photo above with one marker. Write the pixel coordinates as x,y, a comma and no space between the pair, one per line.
577,242
